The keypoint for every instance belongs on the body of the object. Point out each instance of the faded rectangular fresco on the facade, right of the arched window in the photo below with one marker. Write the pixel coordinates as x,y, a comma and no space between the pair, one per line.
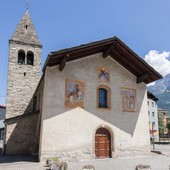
128,99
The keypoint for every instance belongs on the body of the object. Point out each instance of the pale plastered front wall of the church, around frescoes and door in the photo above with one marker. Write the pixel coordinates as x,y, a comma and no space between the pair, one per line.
68,130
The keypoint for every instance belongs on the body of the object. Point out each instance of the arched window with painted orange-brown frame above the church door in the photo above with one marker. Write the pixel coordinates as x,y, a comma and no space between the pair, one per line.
104,97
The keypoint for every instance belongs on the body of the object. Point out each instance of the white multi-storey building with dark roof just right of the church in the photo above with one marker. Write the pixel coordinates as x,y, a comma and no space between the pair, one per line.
153,116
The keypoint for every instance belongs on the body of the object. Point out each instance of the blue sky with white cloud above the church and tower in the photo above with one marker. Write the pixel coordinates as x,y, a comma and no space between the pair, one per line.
143,25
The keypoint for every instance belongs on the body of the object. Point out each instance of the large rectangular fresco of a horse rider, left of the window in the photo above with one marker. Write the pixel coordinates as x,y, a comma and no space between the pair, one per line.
74,93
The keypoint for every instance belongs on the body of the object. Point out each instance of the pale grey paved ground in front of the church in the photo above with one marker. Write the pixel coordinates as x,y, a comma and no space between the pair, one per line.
128,161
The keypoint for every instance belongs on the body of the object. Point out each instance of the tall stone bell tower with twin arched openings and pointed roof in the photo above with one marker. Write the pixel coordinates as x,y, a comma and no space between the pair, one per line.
24,68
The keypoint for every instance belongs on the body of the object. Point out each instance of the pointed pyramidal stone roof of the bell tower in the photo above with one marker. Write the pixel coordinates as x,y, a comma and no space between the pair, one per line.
25,31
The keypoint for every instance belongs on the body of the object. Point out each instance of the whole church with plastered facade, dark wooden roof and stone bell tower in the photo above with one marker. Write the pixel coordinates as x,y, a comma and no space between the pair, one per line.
91,101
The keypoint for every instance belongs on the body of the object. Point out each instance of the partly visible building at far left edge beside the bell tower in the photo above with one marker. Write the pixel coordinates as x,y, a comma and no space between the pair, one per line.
2,125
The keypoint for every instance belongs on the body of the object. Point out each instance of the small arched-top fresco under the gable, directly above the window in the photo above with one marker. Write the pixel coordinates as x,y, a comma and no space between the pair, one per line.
103,75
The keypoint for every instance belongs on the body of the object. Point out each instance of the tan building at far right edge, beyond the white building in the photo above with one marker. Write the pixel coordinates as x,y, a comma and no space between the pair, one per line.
163,118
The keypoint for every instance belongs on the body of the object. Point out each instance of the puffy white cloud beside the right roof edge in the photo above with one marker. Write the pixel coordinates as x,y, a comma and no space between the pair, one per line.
159,61
